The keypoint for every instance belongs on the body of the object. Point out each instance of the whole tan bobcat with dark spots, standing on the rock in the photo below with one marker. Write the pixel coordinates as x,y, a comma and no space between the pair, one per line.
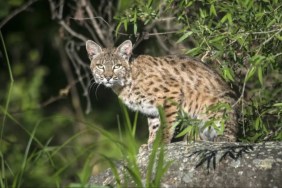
144,82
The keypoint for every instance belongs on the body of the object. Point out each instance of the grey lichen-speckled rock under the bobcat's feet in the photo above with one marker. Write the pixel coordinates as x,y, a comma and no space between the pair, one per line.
209,164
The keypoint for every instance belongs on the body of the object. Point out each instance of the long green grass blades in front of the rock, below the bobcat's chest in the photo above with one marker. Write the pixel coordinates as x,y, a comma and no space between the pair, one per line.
157,164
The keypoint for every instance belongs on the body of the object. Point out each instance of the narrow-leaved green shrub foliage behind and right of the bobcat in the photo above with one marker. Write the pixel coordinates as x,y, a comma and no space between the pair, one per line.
242,39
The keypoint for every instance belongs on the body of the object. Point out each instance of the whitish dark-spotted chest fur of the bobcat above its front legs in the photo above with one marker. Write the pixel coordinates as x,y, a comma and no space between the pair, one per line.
139,103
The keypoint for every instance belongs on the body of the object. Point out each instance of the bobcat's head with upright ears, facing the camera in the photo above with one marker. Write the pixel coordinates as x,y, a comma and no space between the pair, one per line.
109,67
